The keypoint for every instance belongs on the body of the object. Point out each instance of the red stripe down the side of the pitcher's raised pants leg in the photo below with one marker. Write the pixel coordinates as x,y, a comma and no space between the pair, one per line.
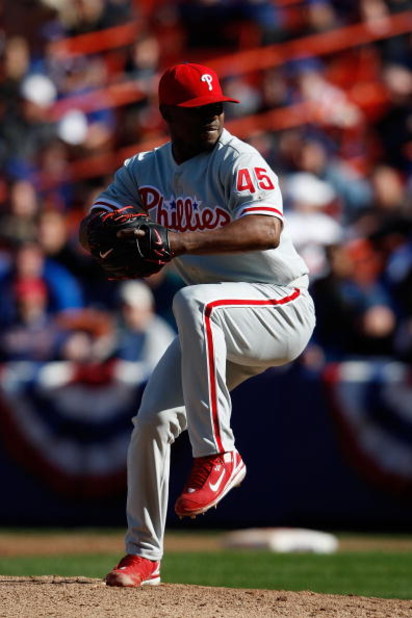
210,355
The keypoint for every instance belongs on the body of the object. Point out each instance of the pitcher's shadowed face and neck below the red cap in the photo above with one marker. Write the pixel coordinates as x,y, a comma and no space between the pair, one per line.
194,129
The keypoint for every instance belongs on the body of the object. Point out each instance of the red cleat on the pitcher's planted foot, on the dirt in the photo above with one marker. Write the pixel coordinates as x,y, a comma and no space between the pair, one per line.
134,571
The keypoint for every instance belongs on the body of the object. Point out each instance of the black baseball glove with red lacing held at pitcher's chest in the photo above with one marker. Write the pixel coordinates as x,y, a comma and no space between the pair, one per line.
126,242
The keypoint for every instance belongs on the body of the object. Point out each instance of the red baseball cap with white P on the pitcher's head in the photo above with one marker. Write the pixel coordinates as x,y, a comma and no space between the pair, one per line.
190,85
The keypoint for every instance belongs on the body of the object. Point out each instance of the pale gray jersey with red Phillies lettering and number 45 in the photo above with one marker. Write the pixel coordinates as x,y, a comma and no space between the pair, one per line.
205,193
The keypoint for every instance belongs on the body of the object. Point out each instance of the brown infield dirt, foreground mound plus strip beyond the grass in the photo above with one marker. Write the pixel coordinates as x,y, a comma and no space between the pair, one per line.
64,597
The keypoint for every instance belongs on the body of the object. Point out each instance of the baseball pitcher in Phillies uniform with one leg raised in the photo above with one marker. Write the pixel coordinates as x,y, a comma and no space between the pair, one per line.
209,203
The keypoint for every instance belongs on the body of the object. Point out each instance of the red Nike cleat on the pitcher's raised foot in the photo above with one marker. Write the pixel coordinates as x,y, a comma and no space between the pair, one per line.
211,478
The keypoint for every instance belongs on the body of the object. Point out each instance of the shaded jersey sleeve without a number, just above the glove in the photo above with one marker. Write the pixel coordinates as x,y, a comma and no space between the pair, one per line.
122,191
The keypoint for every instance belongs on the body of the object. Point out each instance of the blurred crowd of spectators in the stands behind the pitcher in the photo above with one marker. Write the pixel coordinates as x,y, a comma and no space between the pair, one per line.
345,168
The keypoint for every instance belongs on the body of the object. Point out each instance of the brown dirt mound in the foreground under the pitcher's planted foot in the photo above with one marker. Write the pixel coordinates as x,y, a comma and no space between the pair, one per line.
62,597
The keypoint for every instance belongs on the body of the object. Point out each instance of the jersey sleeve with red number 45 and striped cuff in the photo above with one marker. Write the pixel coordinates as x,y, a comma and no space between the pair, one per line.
254,187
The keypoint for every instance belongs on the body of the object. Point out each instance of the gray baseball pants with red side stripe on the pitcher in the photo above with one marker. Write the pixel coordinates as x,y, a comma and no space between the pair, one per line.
228,332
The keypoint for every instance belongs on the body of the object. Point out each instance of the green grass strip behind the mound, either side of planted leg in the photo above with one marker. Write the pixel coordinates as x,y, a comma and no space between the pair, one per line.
384,574
